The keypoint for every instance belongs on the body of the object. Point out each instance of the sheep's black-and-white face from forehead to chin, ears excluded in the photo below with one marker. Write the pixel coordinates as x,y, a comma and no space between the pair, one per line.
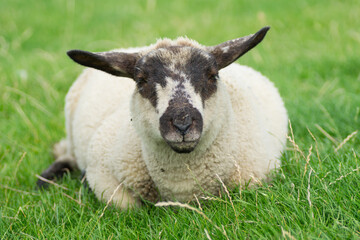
184,75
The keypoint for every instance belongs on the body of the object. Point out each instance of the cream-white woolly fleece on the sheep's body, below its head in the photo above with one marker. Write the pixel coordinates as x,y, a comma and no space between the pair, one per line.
107,121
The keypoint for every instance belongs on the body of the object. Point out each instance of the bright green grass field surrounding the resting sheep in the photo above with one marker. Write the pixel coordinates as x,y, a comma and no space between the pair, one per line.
312,53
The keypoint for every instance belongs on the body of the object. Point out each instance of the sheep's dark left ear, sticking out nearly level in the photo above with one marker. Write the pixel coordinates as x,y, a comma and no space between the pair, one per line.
116,63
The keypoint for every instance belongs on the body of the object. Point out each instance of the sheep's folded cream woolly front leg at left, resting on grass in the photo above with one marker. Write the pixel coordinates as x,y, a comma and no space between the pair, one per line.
106,187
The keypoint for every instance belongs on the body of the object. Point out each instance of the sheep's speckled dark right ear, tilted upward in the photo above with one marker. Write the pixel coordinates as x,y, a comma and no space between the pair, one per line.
227,52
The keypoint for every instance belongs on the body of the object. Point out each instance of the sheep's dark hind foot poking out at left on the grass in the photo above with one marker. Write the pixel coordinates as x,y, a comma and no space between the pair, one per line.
55,171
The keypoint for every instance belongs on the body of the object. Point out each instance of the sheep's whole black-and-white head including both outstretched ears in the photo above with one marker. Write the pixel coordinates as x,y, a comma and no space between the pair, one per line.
176,78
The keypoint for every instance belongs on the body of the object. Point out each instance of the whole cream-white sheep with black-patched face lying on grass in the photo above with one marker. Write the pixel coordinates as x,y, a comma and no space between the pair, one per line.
170,121
